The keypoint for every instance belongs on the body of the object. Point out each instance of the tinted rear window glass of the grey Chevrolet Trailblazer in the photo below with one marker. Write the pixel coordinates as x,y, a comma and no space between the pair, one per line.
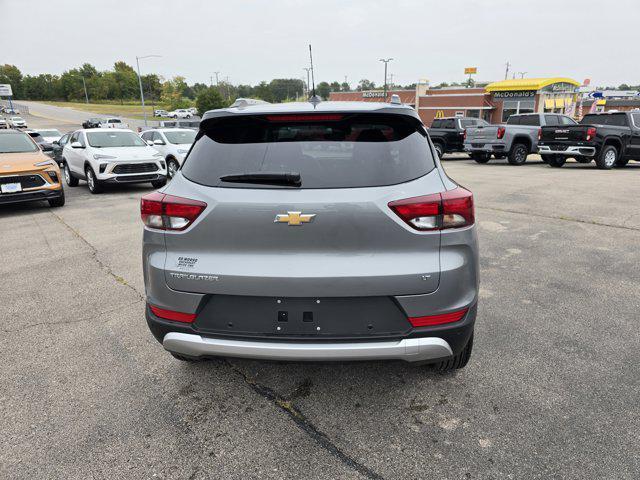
328,151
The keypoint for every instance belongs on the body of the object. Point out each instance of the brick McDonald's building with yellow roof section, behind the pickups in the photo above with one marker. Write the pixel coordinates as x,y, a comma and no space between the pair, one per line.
495,103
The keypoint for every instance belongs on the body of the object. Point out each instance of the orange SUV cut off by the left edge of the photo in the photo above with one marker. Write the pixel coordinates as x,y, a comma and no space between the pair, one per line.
26,173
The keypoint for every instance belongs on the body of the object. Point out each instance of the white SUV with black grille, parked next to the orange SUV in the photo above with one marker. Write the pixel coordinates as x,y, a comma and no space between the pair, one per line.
111,156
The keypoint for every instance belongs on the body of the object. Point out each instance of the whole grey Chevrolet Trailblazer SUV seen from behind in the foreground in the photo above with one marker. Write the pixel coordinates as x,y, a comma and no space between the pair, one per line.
309,231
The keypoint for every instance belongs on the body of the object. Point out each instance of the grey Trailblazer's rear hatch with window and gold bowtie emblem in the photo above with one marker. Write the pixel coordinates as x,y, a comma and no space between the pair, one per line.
331,234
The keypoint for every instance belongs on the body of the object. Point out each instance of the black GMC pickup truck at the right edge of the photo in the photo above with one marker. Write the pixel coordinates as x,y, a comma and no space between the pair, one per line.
612,139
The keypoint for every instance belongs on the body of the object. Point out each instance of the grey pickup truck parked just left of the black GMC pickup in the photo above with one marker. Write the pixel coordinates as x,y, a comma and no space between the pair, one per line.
515,140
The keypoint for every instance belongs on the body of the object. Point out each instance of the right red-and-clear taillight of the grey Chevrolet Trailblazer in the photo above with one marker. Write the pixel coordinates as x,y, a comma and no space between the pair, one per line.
452,209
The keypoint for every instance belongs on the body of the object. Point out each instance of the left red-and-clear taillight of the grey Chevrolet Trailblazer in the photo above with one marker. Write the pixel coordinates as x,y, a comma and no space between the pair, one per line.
168,212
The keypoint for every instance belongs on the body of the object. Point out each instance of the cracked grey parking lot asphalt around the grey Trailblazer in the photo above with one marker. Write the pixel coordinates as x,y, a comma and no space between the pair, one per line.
551,390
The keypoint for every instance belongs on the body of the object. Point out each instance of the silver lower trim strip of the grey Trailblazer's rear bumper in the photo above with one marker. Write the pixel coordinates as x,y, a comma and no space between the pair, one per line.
409,349
